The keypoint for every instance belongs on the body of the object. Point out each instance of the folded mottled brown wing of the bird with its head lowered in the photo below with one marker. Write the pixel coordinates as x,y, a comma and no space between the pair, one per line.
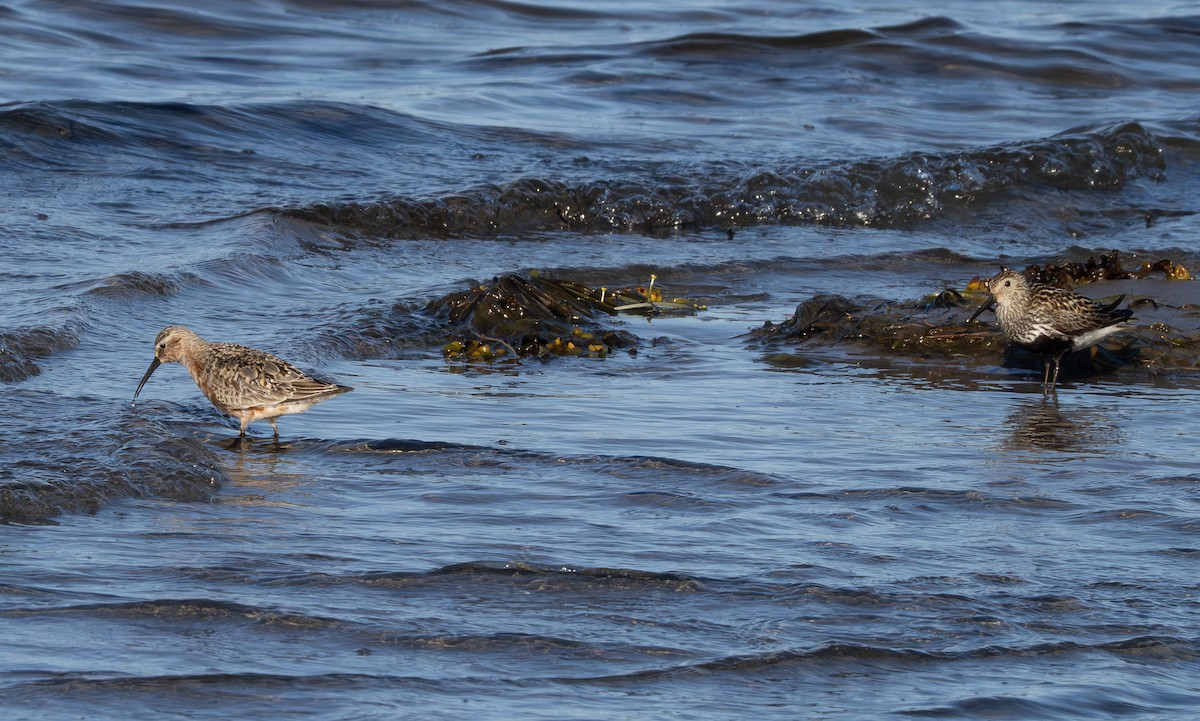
242,377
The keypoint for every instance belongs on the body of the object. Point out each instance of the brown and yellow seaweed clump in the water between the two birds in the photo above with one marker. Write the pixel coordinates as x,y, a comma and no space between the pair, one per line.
539,316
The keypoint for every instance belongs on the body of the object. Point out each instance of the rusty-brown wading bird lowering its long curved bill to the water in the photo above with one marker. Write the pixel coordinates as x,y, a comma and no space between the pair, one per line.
245,383
